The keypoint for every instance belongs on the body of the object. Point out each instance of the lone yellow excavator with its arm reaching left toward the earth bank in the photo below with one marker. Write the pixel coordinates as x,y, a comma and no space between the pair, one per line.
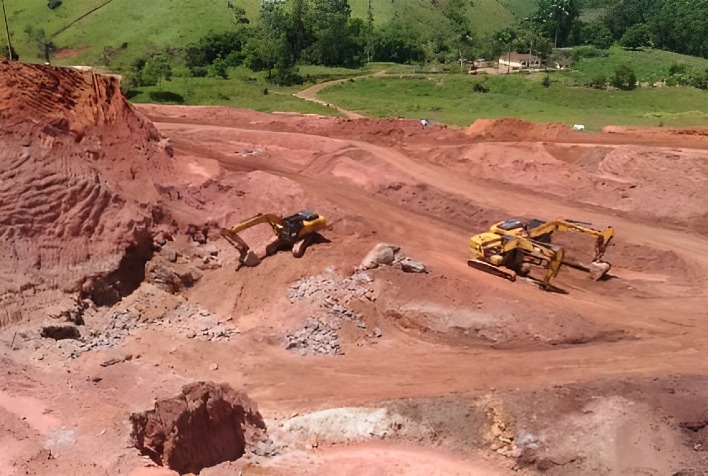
296,231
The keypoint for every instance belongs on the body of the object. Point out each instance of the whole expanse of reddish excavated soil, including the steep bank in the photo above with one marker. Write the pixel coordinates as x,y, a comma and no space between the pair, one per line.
130,337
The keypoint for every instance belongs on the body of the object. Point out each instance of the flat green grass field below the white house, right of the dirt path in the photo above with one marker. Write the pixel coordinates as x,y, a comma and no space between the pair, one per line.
452,100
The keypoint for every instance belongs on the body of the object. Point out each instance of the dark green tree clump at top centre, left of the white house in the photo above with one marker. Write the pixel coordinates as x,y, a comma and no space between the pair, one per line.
322,32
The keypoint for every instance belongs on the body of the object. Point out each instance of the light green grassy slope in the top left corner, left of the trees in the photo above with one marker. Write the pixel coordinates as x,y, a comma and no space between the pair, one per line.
113,23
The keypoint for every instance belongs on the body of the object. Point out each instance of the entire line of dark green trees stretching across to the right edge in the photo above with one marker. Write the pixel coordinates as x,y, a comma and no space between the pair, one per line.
288,33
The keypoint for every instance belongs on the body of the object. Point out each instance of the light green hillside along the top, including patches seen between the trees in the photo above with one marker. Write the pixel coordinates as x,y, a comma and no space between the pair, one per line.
85,28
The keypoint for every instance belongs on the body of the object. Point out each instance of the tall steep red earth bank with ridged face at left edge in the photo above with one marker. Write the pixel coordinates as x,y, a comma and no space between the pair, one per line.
77,189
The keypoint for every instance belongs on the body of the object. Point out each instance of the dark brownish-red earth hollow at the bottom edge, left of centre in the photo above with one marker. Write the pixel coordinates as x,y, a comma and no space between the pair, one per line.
205,425
